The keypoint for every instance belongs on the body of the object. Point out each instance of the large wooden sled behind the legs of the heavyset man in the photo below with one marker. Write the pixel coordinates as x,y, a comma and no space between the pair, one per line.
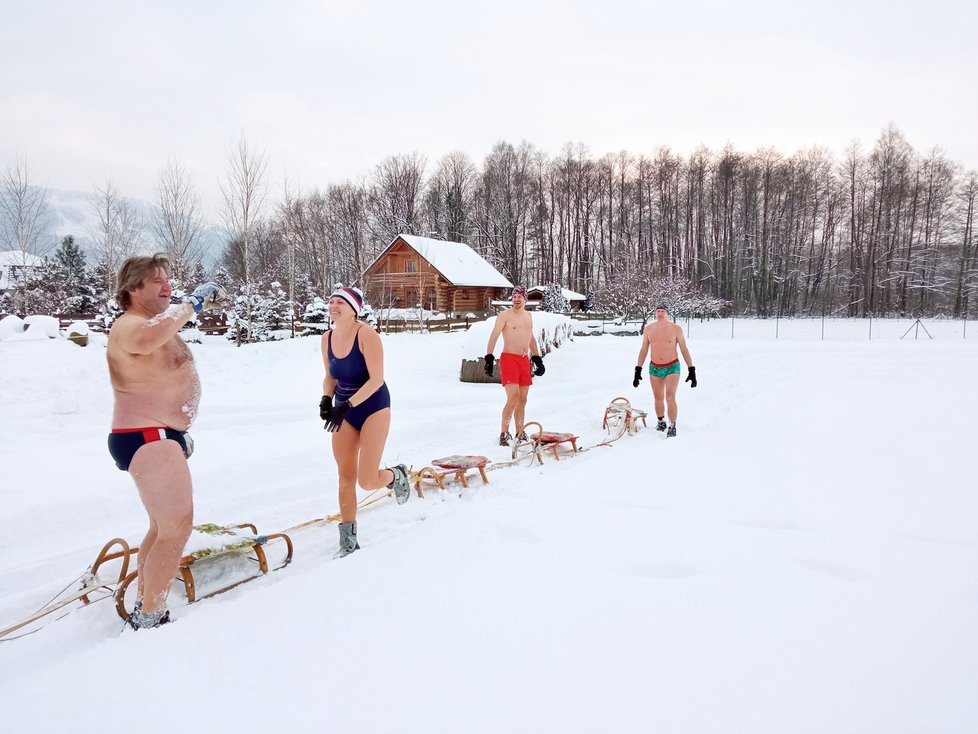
211,545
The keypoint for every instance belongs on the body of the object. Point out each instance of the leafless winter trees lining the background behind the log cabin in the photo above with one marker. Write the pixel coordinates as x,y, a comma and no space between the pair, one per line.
886,230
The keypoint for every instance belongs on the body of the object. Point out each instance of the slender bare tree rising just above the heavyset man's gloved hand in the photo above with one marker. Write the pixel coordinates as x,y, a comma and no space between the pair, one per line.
178,224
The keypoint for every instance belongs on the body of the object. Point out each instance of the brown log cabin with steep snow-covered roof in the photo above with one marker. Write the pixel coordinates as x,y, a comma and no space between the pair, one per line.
437,274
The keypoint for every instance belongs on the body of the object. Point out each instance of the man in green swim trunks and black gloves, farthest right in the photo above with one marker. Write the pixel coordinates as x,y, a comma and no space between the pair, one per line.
663,337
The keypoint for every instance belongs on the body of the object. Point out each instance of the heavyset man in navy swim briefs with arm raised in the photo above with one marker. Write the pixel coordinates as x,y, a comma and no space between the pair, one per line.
156,396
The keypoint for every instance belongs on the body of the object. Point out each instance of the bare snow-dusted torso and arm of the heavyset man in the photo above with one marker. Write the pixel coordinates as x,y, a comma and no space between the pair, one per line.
160,388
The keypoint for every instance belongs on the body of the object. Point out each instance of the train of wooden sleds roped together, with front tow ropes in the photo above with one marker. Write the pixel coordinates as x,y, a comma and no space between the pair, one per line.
219,558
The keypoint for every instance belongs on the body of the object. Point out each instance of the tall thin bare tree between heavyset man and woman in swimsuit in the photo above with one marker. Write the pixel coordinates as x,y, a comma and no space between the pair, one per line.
244,195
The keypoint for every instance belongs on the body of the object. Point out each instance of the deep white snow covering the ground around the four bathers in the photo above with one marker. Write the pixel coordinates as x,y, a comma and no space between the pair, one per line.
803,557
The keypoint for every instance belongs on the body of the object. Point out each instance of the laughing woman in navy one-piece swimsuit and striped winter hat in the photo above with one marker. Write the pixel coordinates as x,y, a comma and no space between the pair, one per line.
356,408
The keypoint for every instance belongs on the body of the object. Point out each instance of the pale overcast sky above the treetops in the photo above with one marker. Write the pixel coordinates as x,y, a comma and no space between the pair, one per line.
94,89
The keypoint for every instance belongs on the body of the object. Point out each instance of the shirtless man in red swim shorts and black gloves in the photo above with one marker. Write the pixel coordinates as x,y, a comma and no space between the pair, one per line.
516,326
